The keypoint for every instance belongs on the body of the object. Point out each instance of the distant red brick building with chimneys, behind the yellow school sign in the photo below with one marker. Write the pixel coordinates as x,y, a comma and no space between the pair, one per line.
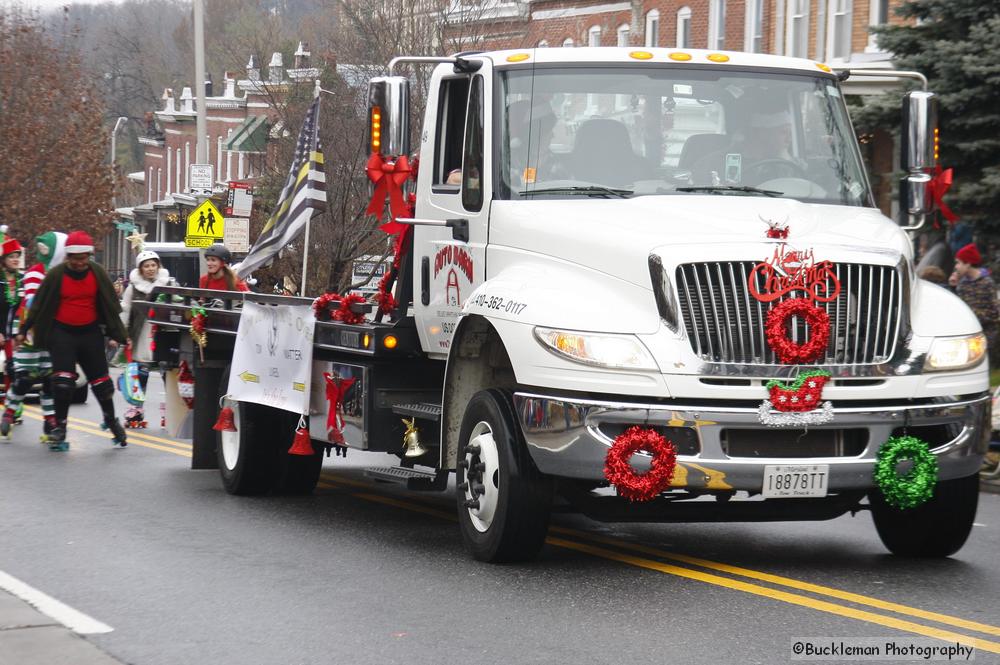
240,123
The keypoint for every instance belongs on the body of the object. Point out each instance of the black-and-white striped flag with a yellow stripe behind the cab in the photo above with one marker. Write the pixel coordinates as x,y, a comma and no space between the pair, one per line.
304,194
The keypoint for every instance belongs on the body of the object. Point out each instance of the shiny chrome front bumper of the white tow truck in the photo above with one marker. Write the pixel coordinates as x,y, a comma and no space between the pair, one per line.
564,439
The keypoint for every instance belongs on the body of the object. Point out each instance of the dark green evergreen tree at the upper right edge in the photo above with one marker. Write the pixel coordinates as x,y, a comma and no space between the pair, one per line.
954,43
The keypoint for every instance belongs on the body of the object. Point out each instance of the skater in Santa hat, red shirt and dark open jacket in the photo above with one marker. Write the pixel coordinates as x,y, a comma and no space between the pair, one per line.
74,309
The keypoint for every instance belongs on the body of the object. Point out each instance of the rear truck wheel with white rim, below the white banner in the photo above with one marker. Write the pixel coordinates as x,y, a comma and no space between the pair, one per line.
247,457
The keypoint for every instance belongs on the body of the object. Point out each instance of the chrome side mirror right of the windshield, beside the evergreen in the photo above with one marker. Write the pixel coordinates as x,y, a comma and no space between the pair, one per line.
919,153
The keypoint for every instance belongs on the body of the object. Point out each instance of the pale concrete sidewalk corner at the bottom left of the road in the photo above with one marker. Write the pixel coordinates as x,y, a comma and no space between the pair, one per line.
28,637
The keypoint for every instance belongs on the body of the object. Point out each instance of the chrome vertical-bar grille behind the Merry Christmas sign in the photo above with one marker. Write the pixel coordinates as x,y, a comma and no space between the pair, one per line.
725,323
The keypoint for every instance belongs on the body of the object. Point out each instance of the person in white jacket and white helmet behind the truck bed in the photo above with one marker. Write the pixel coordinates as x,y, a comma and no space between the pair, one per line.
148,274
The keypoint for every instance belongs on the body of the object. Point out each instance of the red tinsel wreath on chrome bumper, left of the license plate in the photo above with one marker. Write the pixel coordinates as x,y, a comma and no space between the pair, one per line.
634,486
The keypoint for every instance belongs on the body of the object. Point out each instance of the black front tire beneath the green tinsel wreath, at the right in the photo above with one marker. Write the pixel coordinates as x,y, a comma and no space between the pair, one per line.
937,528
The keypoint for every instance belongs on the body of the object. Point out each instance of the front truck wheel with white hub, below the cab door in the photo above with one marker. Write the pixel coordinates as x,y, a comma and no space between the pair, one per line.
518,495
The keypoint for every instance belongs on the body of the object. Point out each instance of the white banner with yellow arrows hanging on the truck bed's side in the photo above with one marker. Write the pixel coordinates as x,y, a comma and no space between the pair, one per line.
272,363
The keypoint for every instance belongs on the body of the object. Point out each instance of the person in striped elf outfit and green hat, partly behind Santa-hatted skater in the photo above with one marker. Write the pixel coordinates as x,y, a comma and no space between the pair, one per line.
31,363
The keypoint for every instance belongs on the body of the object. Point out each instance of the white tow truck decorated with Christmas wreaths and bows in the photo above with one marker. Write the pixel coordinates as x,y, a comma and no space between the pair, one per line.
600,241
